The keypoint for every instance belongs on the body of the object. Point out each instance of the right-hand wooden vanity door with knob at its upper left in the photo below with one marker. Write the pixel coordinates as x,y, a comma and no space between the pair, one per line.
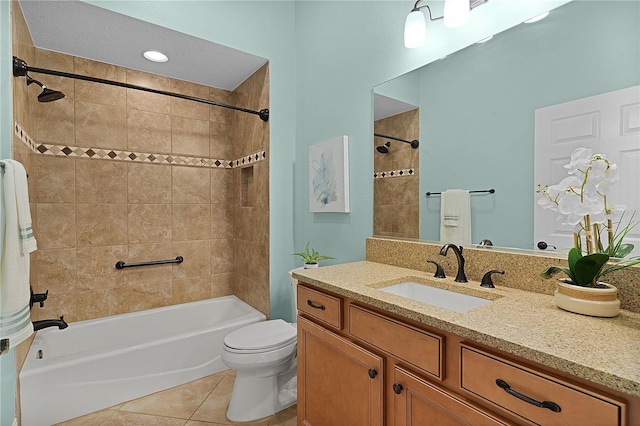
420,403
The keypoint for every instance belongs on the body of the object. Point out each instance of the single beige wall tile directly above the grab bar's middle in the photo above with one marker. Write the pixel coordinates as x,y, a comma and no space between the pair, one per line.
149,223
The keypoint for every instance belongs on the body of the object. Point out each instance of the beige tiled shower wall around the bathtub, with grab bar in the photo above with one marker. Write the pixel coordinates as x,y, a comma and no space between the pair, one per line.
106,186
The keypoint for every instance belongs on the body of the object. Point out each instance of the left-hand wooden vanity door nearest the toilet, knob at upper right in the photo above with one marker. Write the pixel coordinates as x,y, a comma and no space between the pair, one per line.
339,383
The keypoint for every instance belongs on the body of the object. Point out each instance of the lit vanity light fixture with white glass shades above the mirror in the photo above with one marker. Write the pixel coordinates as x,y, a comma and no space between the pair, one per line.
456,13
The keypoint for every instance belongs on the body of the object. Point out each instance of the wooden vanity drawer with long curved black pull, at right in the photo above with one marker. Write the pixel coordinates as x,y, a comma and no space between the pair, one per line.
487,376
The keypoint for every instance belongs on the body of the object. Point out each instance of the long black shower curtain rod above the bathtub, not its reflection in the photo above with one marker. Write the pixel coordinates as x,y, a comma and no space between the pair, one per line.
20,68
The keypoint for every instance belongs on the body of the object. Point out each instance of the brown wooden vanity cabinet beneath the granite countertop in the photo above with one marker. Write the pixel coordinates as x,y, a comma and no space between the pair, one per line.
424,376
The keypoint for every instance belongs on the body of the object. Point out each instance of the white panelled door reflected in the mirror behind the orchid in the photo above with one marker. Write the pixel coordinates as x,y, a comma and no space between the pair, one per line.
608,124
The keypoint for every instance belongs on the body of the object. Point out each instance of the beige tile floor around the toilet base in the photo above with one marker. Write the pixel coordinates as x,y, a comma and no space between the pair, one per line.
199,403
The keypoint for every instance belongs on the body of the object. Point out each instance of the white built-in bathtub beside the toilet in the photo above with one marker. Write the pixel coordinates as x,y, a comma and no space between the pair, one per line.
95,364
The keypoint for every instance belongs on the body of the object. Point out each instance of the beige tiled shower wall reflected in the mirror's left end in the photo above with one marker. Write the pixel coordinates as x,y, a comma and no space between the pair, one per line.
396,182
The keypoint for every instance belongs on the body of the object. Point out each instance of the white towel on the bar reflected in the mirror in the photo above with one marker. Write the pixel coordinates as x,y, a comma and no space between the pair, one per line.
455,217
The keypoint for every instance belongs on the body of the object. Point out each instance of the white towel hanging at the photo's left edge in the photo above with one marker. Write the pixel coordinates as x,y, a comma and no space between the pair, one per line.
17,244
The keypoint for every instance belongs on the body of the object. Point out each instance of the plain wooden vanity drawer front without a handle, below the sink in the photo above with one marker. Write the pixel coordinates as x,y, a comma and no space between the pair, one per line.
416,347
